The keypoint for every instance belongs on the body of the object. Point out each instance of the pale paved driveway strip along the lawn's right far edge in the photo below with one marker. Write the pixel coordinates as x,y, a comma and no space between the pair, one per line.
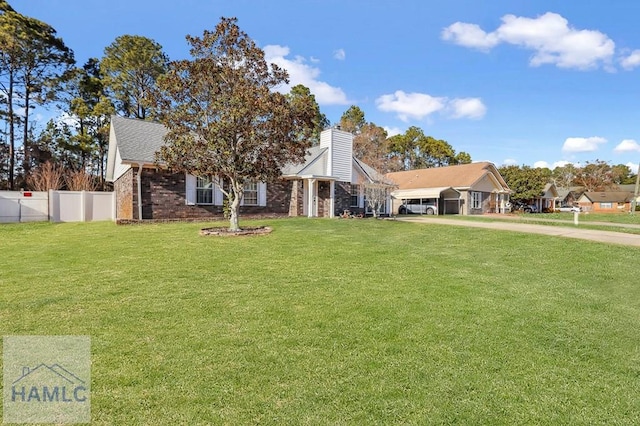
569,231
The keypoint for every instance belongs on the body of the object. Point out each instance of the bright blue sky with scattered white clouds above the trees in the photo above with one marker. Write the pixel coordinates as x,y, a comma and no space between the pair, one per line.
539,82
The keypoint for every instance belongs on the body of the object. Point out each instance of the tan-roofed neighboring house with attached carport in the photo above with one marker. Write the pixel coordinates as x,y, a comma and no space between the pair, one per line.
465,189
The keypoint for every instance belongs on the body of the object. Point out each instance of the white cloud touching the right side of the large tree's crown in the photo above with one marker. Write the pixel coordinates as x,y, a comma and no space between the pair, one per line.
302,73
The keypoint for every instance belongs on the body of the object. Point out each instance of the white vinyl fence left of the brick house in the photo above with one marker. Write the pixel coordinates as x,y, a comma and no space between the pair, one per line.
56,206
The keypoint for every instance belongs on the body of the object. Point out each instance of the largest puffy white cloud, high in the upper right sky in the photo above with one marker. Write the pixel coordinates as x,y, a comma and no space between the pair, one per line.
549,36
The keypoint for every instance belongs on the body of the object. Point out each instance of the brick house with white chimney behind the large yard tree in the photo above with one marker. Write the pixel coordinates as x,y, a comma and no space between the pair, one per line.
327,183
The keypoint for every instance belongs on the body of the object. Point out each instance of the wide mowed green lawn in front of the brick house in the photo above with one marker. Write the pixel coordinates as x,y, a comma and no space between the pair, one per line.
334,322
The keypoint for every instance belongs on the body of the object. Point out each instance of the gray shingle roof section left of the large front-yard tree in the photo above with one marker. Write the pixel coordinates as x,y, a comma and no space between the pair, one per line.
138,140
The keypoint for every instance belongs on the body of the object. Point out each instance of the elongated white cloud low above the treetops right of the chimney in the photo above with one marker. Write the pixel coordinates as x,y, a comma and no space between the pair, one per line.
420,105
